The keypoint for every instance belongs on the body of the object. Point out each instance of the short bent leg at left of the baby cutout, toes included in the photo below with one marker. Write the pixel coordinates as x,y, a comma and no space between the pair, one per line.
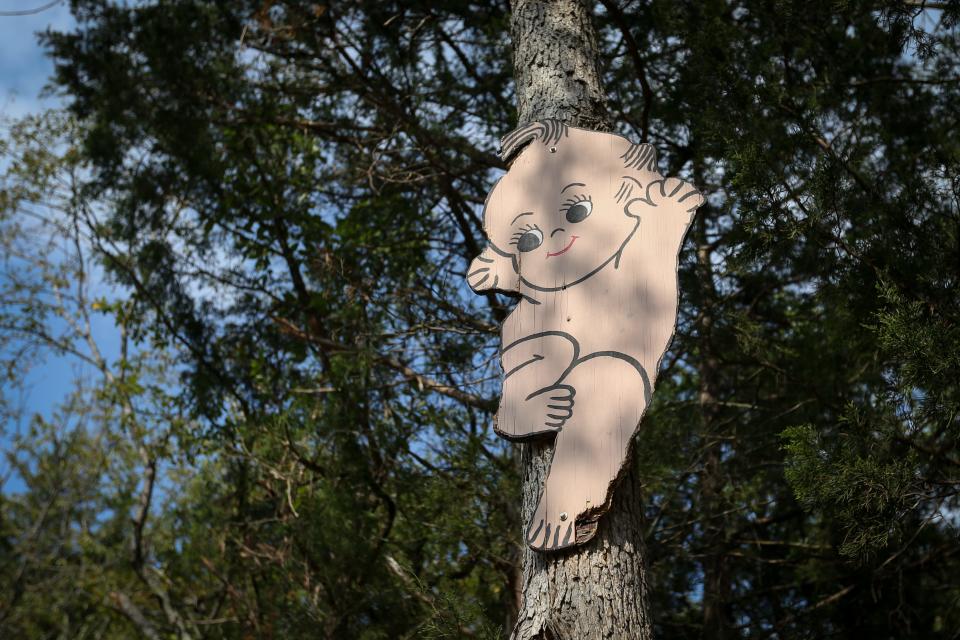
533,403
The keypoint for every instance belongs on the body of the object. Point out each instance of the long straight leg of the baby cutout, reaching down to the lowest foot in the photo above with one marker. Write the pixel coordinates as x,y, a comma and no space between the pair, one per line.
590,450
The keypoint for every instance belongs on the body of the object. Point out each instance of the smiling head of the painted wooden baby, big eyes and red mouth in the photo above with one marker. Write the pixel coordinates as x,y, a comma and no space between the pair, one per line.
558,215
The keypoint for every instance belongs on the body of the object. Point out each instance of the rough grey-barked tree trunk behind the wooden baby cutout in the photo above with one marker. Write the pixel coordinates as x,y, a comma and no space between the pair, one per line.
597,590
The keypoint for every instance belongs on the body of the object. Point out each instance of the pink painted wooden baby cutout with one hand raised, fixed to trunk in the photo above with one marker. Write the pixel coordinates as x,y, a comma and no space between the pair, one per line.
588,233
